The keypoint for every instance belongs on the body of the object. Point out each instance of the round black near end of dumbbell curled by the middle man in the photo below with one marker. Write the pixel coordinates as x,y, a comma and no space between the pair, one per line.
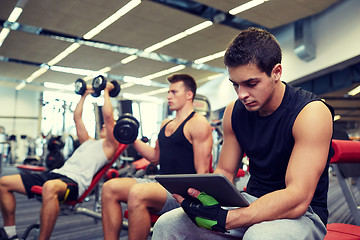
126,129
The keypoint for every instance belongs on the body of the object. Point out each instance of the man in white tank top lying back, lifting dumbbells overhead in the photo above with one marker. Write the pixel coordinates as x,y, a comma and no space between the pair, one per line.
66,183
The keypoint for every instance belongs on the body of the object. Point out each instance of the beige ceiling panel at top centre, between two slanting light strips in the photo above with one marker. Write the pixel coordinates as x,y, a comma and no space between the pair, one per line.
146,25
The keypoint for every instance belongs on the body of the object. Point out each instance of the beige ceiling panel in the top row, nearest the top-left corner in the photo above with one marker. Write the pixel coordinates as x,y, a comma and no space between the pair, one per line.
74,17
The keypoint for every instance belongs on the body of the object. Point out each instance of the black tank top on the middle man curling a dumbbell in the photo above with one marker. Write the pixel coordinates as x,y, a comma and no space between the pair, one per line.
176,152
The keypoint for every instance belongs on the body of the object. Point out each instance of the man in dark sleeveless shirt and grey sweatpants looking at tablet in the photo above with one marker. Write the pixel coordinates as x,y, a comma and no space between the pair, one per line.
286,133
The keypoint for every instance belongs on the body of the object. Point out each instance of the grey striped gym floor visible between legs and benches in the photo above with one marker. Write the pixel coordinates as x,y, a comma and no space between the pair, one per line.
78,227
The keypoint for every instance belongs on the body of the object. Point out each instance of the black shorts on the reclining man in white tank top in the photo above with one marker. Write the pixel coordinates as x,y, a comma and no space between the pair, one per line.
38,179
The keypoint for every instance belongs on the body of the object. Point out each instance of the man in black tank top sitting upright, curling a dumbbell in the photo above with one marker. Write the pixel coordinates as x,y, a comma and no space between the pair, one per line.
184,146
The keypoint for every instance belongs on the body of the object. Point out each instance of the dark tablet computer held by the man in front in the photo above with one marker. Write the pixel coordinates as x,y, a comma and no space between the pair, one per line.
215,185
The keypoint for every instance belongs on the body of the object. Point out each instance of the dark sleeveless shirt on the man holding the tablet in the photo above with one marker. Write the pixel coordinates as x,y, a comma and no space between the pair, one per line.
268,142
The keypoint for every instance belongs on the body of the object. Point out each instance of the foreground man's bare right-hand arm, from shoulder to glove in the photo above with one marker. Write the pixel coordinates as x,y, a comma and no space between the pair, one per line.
312,132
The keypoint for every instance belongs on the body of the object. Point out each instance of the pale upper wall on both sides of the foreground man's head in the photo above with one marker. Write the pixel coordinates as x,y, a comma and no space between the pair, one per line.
336,33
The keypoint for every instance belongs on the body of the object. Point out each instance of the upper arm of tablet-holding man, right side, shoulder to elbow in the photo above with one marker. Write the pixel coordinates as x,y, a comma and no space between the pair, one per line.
312,133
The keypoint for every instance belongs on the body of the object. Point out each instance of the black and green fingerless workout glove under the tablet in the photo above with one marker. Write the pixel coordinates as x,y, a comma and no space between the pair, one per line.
205,212
